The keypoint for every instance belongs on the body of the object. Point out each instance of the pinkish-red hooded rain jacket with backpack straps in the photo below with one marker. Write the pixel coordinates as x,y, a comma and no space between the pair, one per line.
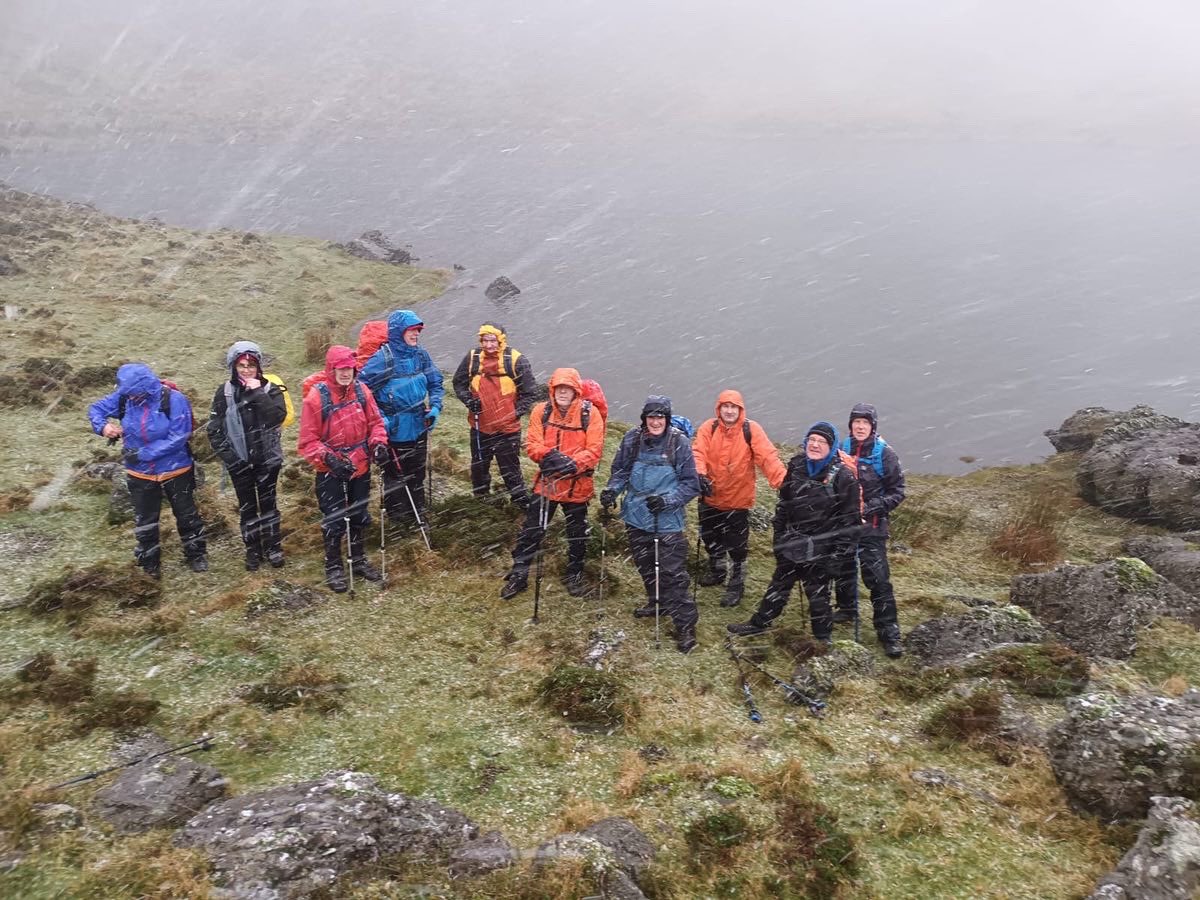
352,429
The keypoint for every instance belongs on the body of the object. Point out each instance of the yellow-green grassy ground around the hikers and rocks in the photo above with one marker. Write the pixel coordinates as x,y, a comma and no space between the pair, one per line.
443,676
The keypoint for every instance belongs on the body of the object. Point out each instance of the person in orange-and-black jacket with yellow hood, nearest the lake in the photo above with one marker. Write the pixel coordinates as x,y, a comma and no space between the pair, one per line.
496,385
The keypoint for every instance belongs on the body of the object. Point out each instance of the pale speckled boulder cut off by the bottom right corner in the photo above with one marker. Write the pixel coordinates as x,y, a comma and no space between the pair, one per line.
1165,863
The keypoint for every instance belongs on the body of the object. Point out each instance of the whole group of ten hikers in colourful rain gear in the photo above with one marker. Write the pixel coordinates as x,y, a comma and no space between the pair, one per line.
376,406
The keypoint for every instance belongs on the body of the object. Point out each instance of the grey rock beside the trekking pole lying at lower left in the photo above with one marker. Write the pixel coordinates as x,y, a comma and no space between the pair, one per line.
161,793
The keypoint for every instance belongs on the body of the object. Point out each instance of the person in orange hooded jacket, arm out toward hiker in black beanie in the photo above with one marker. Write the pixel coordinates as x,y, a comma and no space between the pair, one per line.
728,449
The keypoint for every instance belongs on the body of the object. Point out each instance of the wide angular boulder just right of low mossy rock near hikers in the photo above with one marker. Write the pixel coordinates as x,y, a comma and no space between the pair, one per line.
1099,610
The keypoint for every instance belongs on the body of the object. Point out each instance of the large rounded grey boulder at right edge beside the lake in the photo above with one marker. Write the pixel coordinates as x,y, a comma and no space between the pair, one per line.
1145,469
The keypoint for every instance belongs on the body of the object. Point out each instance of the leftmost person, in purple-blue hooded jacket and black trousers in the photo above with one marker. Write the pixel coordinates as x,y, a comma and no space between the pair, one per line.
154,424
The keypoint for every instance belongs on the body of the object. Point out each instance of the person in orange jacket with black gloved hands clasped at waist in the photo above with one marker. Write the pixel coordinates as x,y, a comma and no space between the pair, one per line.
566,439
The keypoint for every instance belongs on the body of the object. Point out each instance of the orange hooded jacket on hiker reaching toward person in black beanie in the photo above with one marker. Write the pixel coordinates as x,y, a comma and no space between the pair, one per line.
724,457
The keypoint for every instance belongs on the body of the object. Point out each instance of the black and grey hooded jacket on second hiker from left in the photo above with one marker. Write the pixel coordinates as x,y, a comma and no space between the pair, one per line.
261,415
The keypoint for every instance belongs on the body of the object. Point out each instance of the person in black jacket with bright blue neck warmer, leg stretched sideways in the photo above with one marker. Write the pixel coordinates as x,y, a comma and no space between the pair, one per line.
817,521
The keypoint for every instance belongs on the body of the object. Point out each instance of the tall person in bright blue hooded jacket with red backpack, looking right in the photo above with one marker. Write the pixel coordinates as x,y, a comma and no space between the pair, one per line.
409,389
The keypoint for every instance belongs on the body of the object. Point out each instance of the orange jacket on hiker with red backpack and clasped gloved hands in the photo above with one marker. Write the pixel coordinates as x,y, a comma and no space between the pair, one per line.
565,433
